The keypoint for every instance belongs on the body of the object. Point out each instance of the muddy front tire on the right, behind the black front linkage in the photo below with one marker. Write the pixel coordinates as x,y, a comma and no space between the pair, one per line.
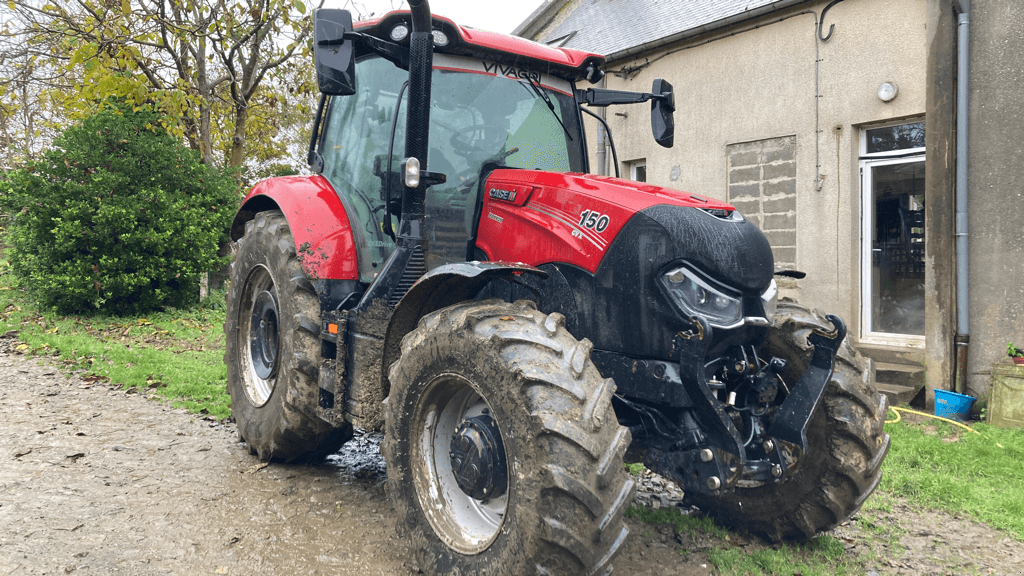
846,444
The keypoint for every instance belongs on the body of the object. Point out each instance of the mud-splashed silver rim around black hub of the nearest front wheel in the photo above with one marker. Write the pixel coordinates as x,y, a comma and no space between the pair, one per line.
465,524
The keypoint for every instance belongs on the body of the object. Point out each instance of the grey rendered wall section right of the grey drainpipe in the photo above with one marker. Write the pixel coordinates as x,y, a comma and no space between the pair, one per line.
996,186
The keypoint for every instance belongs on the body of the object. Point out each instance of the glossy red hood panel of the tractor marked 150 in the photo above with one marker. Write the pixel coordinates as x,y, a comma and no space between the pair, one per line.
539,218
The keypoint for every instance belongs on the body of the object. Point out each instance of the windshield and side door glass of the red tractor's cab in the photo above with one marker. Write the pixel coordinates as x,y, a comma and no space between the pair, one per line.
483,116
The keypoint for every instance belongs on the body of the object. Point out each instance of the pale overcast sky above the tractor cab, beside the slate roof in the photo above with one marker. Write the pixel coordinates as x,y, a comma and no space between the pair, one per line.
486,15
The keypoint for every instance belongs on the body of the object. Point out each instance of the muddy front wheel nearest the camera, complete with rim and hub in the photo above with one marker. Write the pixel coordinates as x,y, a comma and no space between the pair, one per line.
554,488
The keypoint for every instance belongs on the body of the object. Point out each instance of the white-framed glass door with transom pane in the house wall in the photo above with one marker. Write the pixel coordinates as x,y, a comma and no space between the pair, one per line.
892,234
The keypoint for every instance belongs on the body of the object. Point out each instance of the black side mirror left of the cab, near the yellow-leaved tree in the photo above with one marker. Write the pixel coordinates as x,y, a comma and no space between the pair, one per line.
333,55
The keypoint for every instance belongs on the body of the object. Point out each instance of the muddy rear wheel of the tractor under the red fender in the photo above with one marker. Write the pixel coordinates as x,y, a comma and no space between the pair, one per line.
273,348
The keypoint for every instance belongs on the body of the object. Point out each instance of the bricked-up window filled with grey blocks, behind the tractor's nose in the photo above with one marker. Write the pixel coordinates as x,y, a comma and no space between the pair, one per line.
762,185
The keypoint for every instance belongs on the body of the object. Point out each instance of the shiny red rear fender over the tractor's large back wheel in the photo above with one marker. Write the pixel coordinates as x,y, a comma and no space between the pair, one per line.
317,218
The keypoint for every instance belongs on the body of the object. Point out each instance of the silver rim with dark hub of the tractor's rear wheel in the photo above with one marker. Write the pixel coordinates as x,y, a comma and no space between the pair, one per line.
261,347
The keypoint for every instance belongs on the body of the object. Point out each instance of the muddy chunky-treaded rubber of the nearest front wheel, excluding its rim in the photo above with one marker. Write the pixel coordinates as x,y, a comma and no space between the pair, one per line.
586,492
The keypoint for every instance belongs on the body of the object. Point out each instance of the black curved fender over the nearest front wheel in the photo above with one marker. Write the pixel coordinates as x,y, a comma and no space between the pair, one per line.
444,286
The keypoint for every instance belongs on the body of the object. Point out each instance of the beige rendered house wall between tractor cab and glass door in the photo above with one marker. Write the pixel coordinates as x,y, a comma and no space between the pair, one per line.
757,83
